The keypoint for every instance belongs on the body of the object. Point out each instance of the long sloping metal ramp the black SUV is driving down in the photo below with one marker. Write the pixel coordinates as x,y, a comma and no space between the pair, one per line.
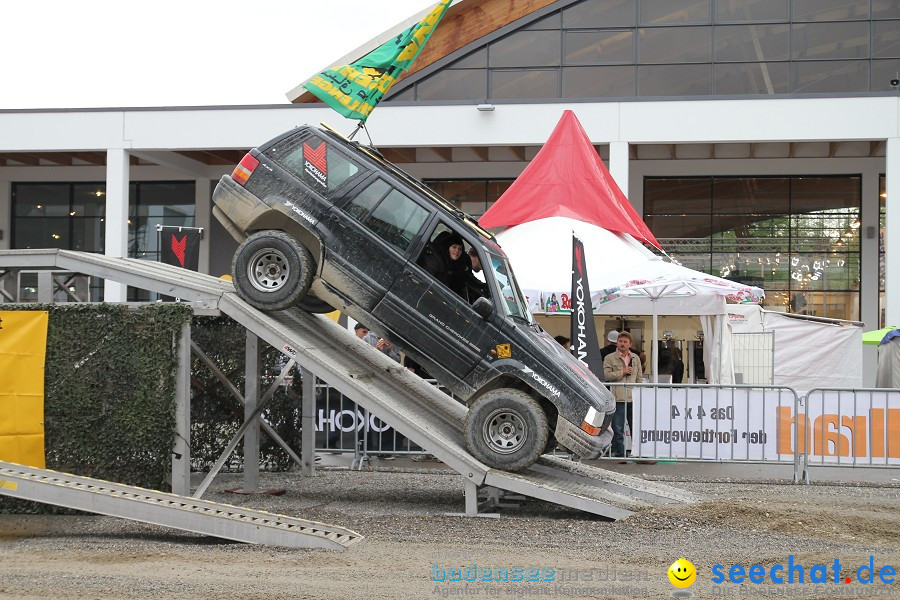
421,412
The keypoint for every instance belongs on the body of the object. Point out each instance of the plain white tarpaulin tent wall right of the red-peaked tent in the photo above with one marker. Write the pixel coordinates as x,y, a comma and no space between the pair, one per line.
808,352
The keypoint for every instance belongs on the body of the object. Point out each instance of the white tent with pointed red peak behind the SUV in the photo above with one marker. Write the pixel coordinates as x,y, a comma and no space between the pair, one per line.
567,189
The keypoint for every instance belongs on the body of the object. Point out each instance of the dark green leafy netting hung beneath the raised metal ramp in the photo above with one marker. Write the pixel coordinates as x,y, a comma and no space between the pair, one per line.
110,393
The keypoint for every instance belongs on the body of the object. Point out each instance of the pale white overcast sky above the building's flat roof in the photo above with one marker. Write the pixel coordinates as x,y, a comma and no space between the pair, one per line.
125,53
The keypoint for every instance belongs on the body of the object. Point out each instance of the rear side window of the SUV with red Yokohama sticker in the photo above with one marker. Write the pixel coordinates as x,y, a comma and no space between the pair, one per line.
316,162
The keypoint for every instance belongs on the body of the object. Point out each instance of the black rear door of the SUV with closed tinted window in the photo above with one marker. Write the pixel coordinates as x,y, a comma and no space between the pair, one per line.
367,240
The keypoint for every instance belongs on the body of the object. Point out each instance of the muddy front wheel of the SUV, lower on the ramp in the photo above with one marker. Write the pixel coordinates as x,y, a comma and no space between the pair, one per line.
506,429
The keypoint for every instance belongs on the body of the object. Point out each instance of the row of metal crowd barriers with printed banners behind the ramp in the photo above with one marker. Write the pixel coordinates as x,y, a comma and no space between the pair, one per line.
753,424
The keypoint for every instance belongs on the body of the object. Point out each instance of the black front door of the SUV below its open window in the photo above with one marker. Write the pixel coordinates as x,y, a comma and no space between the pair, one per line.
449,335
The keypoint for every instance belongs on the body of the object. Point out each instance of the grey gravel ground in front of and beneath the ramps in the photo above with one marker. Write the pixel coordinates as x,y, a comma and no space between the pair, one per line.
410,542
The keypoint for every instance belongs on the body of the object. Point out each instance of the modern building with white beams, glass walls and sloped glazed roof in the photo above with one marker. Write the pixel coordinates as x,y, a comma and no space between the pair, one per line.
759,139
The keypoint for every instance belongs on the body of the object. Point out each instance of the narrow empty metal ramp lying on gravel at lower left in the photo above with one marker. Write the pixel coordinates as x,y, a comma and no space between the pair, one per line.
180,512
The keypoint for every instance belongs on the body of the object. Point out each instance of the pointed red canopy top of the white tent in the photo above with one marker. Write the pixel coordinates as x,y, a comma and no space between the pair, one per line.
567,179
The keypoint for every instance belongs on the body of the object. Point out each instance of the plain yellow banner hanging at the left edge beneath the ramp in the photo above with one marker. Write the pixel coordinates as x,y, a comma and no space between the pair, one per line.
23,347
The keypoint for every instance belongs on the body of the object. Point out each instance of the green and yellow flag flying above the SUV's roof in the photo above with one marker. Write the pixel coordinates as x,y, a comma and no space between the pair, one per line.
353,90
